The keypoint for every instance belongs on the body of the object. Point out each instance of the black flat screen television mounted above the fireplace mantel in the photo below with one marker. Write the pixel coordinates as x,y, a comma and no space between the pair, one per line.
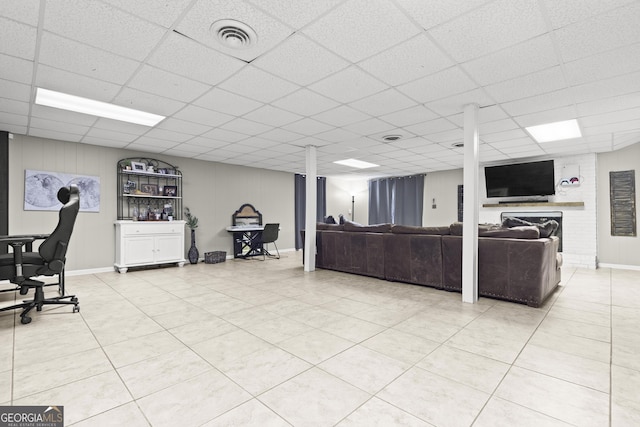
521,179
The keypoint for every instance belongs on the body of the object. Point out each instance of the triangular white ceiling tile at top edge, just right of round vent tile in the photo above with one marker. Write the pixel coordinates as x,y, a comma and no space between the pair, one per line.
296,13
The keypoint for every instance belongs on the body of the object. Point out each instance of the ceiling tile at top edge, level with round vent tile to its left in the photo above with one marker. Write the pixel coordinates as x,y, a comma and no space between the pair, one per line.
379,26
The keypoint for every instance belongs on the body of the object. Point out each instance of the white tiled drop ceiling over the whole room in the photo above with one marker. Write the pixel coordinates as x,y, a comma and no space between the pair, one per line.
336,74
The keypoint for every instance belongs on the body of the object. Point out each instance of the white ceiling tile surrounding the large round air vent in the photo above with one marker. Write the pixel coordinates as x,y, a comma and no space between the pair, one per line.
197,22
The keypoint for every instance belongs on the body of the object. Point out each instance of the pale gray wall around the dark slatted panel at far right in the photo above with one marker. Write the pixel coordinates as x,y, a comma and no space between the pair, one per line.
617,250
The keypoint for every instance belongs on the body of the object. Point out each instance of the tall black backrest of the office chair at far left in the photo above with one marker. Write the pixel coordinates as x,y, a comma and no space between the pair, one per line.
54,248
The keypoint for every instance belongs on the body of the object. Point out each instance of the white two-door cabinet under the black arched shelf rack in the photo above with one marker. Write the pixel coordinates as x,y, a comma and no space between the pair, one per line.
141,243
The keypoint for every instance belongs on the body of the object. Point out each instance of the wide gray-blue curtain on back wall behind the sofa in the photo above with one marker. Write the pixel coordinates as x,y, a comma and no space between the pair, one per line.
397,200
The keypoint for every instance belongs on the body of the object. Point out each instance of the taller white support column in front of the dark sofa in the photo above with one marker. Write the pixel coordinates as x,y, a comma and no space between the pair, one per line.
470,205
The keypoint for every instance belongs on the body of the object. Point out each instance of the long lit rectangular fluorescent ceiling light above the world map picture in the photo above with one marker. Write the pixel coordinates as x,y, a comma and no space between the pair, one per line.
78,104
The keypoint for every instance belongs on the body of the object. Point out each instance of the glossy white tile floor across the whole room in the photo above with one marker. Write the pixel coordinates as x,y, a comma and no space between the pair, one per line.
252,343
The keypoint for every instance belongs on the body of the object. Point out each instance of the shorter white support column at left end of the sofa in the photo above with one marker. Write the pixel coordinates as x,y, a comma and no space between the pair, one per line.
310,209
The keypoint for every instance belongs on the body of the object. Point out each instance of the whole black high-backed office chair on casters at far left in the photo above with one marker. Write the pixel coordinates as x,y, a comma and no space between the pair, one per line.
20,267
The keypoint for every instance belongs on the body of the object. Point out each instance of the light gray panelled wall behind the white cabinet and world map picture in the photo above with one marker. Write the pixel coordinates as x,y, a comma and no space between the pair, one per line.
213,191
